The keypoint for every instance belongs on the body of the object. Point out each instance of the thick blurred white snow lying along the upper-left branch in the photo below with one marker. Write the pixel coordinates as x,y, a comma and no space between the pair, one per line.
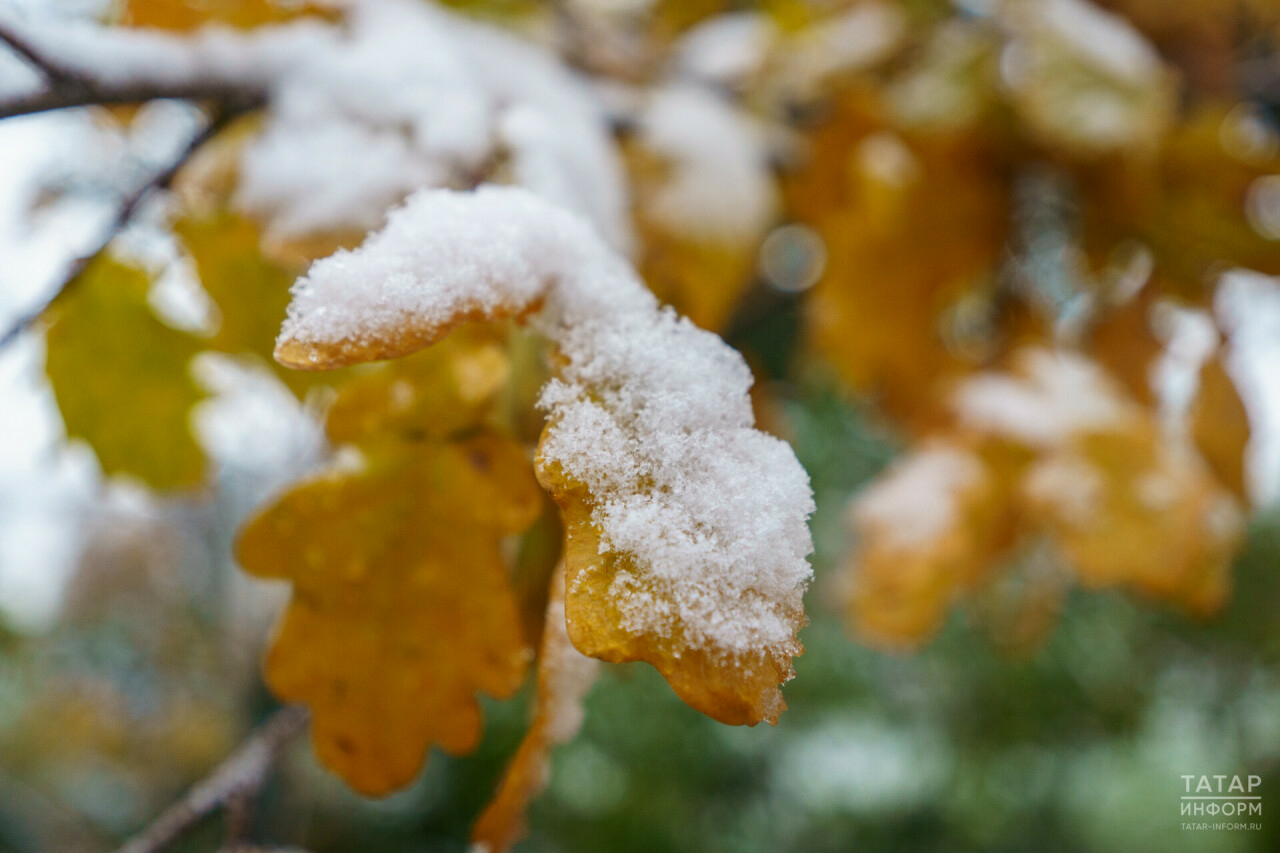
397,97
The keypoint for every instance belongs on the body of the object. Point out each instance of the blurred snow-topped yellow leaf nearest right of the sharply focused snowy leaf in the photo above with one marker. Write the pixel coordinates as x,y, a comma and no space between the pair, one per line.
927,531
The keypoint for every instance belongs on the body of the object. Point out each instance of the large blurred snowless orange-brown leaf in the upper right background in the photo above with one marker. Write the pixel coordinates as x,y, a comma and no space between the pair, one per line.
912,226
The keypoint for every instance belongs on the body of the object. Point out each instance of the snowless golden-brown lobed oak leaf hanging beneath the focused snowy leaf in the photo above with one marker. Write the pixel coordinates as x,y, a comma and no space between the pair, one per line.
401,609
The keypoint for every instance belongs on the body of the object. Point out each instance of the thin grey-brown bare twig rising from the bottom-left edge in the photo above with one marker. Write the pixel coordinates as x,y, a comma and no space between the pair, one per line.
244,774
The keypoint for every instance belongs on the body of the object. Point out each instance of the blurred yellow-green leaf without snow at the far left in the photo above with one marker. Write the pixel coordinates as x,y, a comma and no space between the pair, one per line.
122,377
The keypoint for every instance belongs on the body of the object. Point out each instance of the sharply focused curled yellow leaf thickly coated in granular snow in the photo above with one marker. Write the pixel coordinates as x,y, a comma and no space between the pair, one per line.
688,535
